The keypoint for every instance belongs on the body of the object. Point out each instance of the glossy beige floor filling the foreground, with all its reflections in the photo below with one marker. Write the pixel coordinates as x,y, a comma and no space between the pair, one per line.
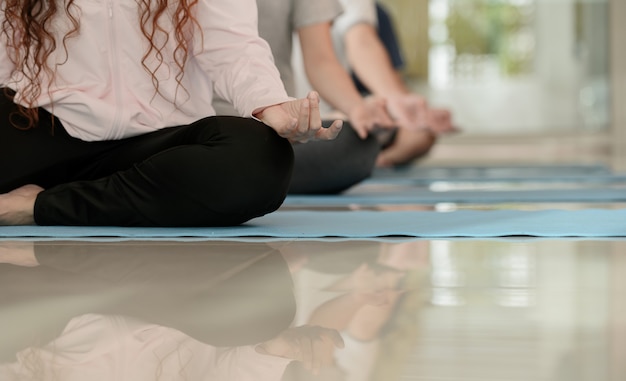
467,310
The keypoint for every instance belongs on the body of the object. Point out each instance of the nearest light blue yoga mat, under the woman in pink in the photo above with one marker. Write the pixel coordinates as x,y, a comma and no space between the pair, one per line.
372,224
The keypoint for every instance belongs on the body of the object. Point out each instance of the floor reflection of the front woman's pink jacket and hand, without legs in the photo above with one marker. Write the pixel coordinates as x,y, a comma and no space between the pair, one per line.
100,347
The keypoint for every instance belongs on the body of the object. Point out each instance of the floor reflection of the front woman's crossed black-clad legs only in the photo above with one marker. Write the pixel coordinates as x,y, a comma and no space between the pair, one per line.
200,289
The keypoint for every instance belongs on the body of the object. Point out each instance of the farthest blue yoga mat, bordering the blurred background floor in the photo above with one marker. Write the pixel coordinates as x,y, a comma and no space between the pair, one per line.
561,173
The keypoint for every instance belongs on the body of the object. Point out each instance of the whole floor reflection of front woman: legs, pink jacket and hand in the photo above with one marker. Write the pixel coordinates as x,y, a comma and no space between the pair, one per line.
189,312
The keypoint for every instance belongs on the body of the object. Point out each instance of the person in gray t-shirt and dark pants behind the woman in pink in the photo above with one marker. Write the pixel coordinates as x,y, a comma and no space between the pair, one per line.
350,158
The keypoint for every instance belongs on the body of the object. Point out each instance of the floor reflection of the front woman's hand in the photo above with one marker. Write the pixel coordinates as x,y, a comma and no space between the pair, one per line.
312,345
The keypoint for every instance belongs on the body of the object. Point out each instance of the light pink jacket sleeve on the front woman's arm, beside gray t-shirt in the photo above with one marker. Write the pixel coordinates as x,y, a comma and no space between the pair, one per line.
238,61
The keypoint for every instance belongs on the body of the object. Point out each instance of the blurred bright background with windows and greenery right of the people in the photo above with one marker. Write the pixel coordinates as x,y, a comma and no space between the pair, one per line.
537,81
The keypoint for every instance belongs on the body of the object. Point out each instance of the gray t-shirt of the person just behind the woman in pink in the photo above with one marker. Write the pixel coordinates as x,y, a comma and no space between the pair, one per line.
278,21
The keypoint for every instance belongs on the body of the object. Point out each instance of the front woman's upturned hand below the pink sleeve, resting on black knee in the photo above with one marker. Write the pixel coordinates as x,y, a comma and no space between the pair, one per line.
299,120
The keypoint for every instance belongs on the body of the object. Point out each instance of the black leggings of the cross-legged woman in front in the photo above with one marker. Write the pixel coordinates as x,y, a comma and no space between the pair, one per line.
217,171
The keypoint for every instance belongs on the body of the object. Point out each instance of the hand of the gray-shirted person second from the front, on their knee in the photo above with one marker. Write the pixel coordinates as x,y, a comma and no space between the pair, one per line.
371,113
